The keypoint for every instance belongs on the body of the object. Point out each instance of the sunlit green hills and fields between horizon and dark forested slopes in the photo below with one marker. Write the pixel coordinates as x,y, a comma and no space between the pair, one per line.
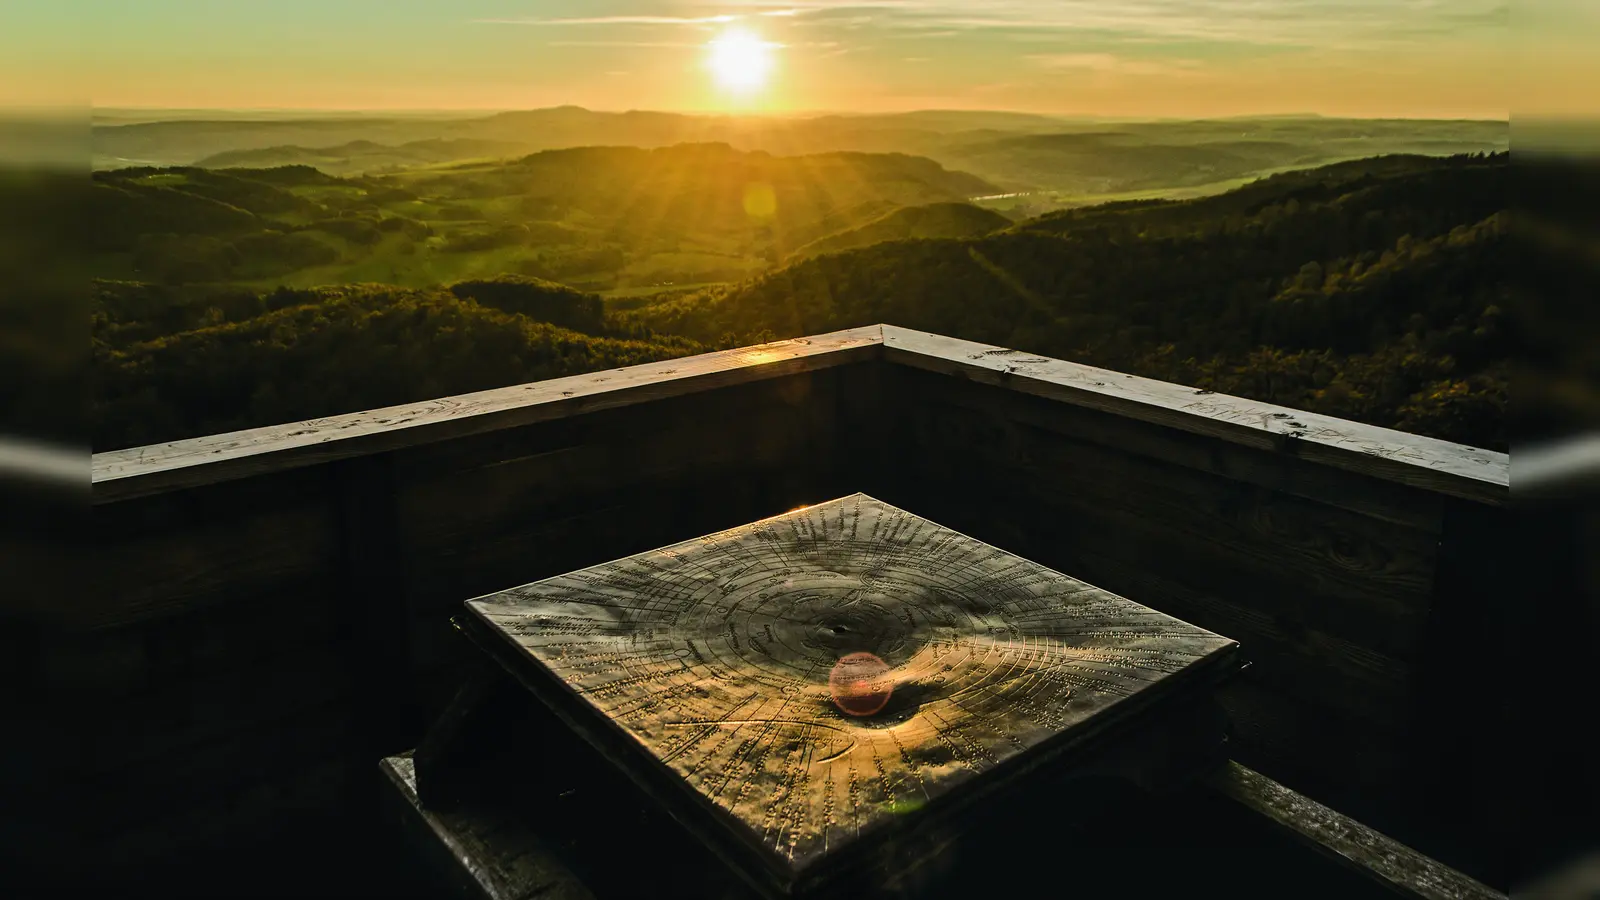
420,203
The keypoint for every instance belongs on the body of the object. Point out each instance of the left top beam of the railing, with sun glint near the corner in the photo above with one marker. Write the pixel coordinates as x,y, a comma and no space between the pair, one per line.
137,472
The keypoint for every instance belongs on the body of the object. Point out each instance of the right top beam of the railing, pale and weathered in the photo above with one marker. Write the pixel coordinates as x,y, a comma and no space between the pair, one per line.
1407,459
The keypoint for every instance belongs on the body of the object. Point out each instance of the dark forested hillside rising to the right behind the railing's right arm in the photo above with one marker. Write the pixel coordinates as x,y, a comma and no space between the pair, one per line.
1372,291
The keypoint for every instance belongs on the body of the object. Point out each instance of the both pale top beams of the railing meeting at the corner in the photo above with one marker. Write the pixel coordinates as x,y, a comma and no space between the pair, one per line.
1385,454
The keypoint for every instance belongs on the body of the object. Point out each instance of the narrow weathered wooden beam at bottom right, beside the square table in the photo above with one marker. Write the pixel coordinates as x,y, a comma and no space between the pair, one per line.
1378,856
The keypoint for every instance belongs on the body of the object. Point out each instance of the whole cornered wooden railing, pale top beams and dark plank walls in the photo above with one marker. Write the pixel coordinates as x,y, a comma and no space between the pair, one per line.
271,608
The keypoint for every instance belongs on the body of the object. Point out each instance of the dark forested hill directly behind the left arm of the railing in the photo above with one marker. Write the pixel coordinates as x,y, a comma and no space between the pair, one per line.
178,363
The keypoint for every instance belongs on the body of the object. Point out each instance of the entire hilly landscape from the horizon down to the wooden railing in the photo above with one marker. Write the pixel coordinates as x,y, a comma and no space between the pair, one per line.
1346,267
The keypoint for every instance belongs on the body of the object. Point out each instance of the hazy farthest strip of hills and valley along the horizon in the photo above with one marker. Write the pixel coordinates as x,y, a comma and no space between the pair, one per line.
1057,161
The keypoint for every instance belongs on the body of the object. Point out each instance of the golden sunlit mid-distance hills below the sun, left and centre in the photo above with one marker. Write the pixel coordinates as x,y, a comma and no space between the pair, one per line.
602,219
